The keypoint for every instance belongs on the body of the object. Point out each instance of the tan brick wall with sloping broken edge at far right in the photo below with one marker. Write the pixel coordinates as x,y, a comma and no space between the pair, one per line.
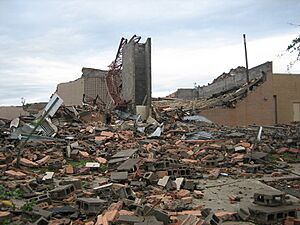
275,101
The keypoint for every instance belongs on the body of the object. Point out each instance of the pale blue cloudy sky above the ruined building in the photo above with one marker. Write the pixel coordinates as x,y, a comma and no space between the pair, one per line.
43,43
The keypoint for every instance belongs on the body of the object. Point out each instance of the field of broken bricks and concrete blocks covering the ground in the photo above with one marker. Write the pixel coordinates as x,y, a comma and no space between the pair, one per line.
79,165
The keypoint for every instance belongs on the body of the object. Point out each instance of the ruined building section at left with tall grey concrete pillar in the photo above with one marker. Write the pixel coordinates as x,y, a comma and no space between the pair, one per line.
128,80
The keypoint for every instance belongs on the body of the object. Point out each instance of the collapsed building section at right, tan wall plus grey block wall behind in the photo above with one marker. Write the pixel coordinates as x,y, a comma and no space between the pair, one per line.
269,98
